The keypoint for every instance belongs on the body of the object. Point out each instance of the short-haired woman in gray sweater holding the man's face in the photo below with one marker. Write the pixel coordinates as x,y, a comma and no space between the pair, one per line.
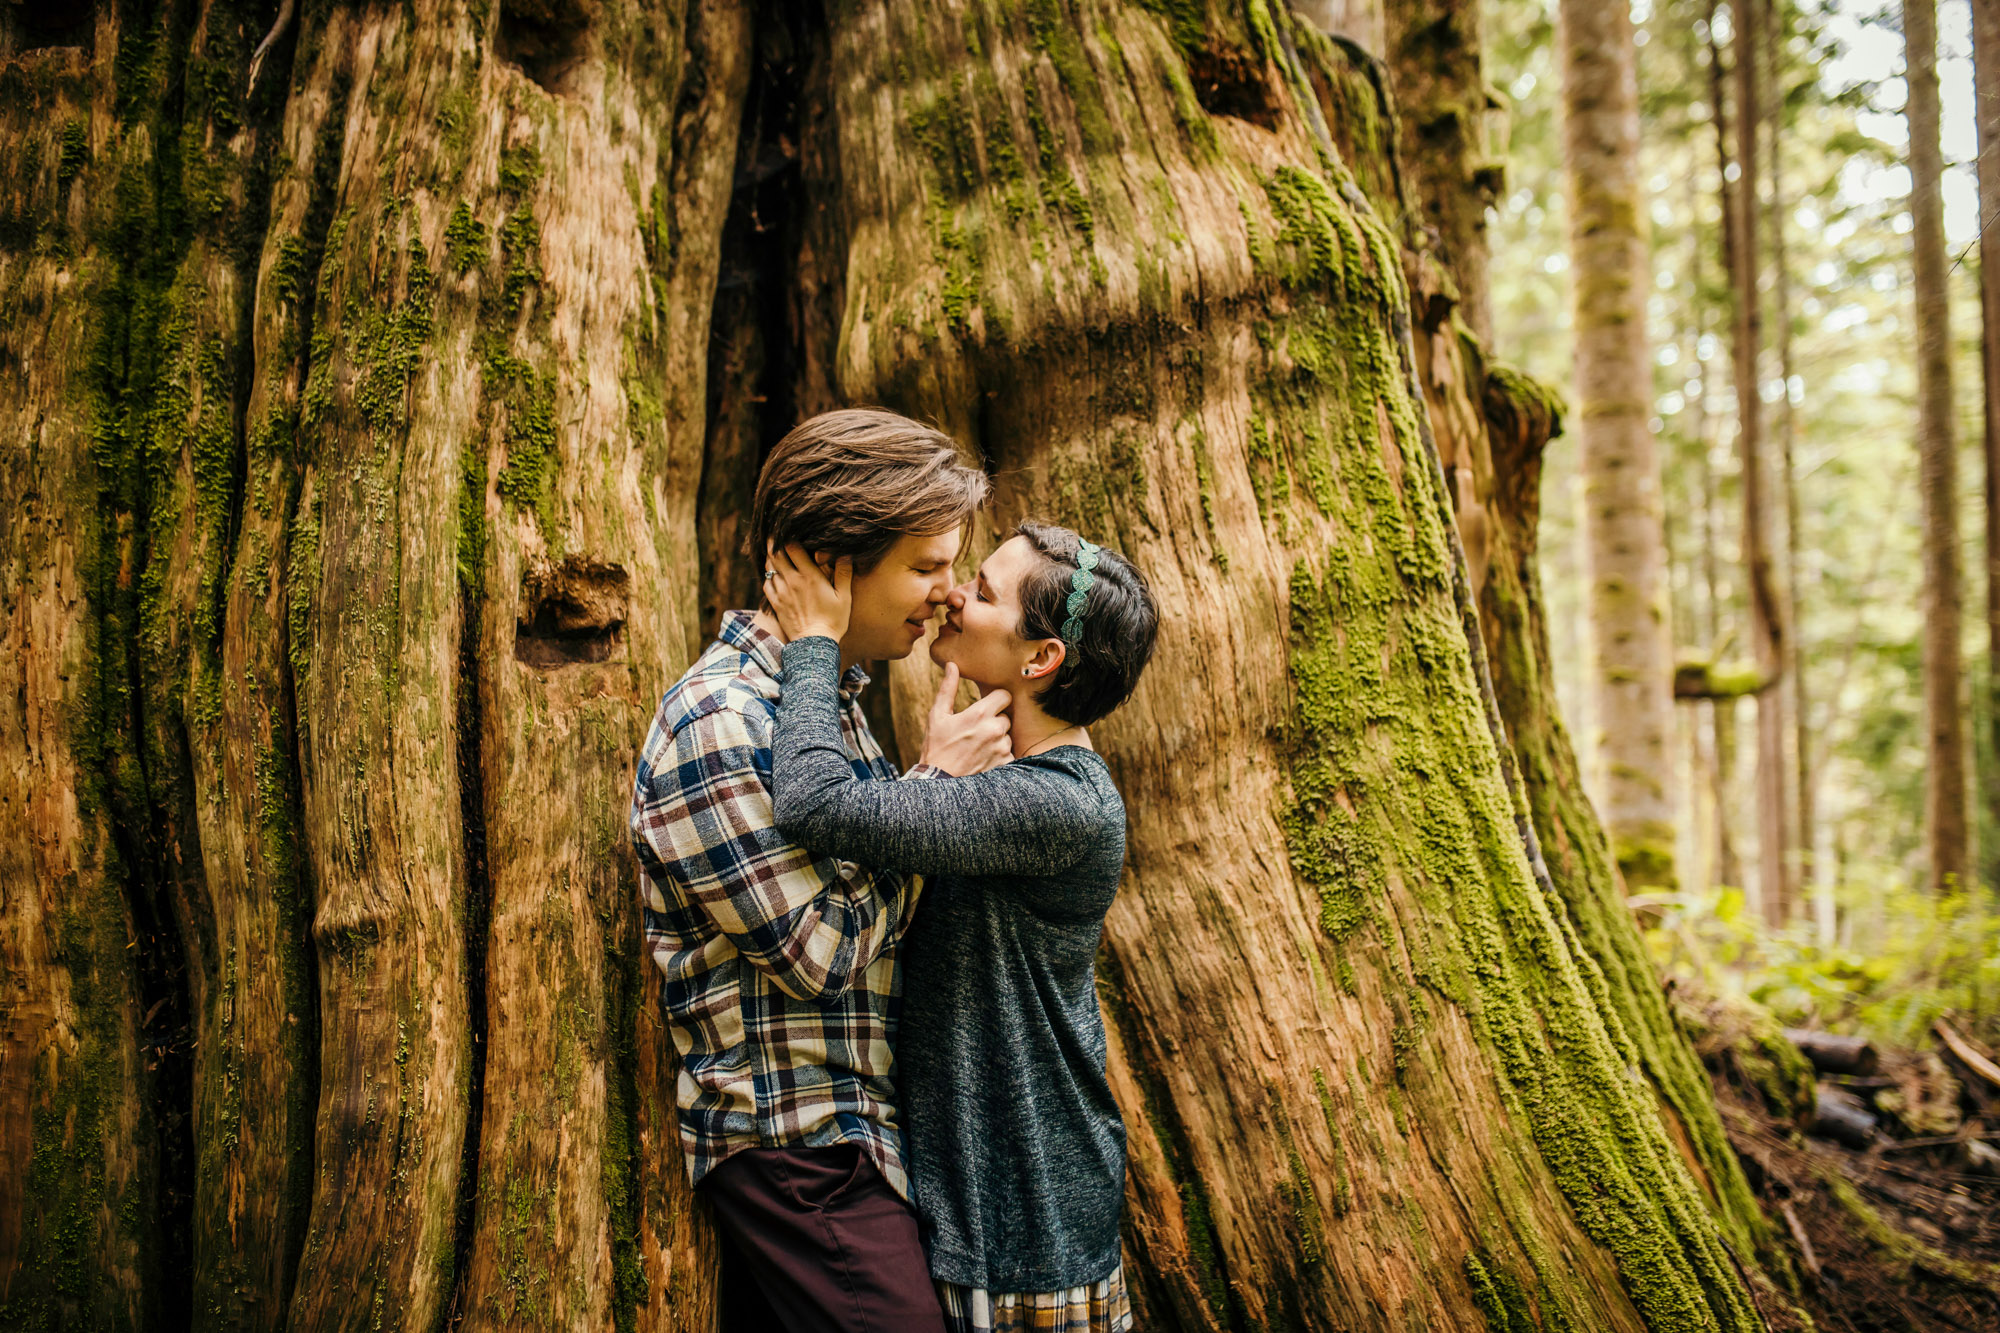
1017,1148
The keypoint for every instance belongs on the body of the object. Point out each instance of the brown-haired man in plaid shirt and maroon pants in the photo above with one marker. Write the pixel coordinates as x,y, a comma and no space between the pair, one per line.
781,966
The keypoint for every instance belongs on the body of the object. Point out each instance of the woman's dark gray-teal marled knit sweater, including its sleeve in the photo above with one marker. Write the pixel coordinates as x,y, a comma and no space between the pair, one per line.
1017,1150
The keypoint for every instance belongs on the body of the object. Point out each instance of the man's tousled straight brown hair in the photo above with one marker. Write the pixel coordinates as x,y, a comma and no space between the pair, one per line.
853,481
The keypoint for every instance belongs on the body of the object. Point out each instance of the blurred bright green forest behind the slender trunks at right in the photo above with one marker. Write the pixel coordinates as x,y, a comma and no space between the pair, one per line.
1871,948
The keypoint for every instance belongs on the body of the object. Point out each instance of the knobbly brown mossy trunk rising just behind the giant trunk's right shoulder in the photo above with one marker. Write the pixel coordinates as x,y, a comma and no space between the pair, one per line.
1435,55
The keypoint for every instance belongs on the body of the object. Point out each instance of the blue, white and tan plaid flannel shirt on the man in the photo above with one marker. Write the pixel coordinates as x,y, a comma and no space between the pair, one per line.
781,968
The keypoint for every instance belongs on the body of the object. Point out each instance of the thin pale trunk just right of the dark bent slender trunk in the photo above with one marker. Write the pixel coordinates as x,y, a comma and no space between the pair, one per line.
1797,702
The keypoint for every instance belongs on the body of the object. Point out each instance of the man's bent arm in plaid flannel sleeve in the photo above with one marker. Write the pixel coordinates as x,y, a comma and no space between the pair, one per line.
703,822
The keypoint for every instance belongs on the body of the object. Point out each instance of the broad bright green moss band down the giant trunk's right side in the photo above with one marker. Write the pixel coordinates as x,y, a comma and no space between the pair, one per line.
1385,702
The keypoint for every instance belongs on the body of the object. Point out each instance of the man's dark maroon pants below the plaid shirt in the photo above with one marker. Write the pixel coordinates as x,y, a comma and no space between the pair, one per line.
817,1242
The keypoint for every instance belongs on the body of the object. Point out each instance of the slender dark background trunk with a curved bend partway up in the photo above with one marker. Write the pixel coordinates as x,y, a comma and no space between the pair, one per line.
1767,609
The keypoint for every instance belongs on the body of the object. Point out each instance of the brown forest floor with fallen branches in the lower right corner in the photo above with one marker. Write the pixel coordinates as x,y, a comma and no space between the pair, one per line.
1897,1230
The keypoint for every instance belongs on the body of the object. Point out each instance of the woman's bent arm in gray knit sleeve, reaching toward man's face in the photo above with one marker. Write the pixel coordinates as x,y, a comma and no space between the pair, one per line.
1015,820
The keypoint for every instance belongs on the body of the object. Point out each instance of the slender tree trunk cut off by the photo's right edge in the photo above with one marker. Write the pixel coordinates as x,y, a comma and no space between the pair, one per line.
1987,93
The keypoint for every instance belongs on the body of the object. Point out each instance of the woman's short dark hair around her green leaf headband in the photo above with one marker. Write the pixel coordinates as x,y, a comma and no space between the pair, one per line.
1119,625
